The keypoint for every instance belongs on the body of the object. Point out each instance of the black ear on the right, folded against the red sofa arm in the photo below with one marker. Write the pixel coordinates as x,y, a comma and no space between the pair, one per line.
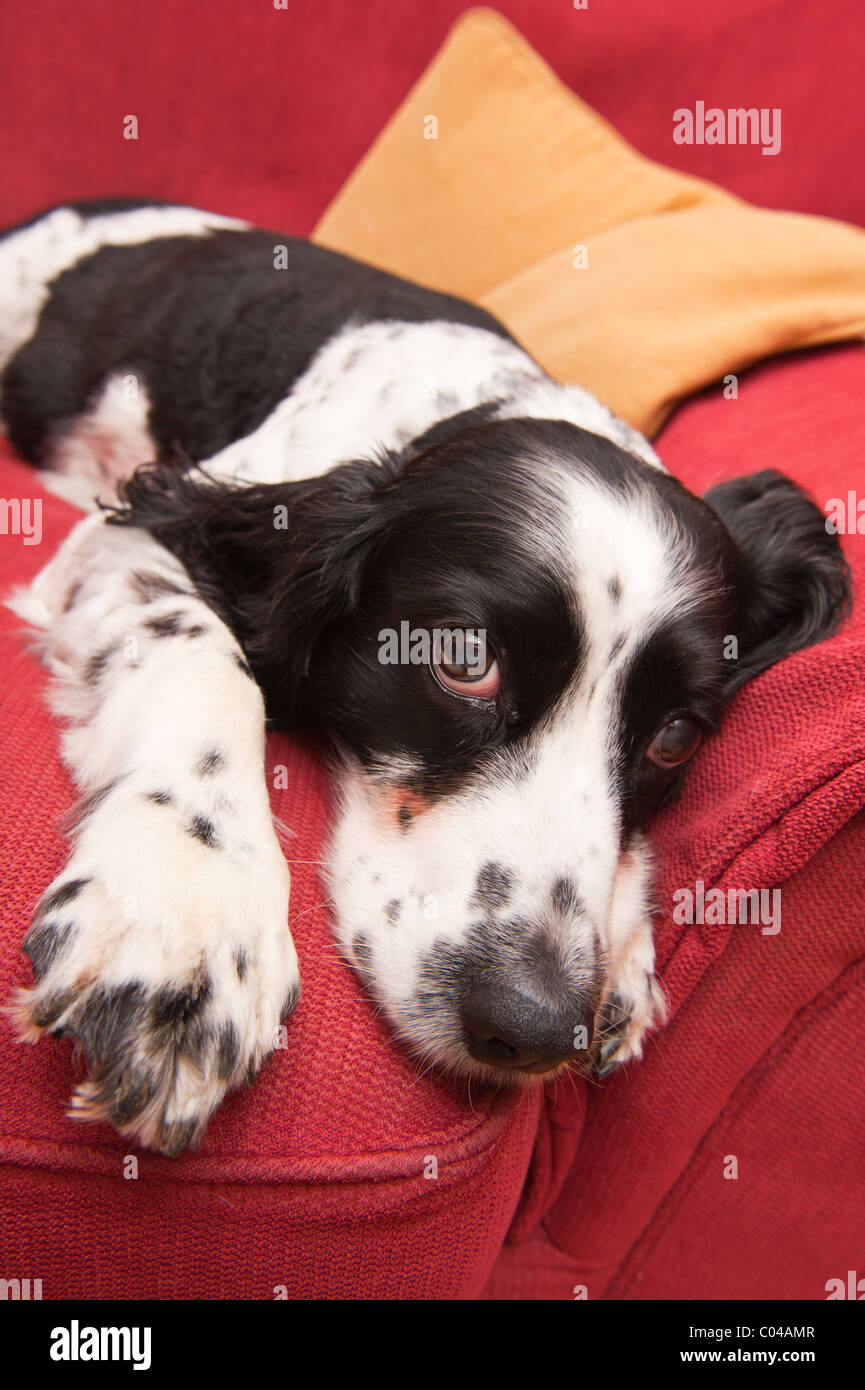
791,576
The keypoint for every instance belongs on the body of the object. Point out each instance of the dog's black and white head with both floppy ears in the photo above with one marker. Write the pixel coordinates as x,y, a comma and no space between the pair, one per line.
517,637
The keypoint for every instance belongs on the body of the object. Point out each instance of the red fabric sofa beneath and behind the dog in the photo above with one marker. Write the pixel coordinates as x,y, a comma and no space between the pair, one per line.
343,1172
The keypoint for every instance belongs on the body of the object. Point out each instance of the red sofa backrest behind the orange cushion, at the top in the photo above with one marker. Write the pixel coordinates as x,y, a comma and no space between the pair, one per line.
265,112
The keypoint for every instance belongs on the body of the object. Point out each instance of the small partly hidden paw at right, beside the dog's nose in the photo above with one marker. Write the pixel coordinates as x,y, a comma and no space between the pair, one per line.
633,1007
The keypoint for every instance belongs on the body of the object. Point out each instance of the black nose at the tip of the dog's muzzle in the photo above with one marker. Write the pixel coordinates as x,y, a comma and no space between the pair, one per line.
511,1027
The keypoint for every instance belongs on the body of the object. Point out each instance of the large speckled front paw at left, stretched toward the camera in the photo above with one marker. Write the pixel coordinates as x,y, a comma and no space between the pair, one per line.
165,950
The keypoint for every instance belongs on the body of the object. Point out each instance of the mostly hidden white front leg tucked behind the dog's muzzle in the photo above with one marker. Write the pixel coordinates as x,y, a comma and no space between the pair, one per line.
635,1003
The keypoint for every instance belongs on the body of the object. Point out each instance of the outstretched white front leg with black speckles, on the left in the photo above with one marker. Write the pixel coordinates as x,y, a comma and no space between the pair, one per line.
163,947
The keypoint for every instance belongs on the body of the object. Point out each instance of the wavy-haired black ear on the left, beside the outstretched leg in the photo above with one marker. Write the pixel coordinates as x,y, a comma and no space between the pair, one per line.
277,562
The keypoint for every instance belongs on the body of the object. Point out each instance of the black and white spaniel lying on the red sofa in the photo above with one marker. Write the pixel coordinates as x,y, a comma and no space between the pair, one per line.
368,454
